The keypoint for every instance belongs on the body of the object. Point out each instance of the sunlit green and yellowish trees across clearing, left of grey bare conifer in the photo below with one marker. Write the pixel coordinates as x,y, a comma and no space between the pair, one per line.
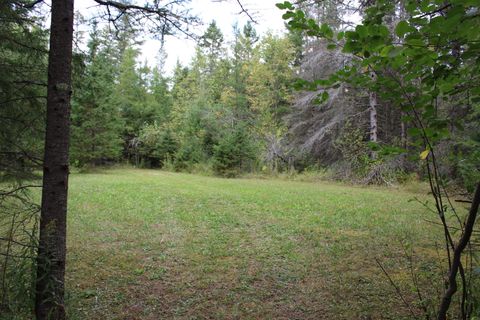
221,110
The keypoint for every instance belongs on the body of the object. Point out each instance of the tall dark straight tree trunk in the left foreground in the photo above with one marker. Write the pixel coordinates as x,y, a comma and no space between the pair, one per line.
49,299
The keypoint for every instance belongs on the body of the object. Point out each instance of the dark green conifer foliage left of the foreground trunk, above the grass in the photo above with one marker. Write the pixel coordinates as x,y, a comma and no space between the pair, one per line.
23,53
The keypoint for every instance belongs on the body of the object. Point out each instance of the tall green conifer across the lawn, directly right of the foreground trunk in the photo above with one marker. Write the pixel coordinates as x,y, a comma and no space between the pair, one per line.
96,122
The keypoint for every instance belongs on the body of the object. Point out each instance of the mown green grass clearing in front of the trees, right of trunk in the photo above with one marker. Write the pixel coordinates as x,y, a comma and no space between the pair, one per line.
146,244
